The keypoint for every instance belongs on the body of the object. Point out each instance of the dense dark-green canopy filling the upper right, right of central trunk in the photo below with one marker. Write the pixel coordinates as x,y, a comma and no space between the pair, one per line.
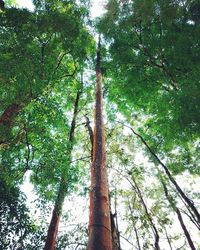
154,66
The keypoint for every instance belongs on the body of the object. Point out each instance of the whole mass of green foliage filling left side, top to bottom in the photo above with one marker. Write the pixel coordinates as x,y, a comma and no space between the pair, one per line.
43,54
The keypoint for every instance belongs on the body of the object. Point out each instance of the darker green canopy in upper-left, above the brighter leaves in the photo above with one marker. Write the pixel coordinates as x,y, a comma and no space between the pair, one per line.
37,50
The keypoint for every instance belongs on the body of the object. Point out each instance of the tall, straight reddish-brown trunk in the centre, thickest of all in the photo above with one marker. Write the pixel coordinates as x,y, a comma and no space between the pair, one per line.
99,222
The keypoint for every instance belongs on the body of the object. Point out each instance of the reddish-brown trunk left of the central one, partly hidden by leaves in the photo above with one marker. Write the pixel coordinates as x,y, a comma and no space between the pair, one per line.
54,223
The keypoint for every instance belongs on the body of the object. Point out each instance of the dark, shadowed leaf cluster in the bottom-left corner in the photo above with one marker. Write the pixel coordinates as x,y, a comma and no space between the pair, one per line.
17,230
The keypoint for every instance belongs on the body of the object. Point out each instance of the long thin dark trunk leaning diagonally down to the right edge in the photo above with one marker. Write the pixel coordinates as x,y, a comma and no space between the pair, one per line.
188,201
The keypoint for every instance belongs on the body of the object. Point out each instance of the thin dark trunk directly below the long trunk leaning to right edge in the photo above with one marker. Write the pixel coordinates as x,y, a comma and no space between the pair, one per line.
177,211
